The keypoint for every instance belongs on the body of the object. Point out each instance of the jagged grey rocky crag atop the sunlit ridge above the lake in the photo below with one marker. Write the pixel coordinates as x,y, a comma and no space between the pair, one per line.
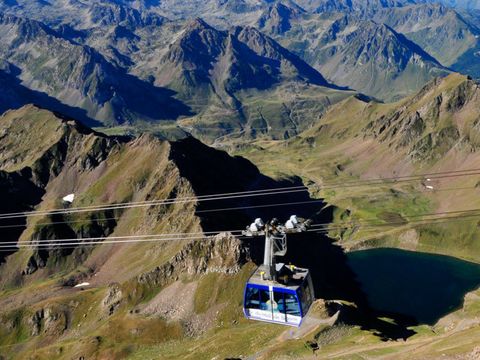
430,131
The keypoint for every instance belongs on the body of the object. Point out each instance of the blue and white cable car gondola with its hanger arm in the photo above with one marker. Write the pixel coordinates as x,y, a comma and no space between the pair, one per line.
276,292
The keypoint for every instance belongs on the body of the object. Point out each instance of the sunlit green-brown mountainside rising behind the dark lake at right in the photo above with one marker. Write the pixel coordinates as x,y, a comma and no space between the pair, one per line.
434,131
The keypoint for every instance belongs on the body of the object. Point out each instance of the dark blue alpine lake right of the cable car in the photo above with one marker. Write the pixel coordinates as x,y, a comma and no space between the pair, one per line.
419,285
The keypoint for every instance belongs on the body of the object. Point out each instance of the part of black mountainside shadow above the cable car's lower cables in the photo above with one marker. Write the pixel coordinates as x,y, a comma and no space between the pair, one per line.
211,171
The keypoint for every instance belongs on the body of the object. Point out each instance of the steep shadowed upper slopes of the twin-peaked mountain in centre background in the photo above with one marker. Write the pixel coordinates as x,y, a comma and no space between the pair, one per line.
249,59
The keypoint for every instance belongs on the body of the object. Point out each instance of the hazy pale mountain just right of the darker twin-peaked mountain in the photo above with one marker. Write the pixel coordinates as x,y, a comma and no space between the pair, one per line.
364,55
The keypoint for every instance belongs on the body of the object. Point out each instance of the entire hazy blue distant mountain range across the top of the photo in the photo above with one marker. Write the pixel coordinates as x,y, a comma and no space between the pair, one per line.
221,66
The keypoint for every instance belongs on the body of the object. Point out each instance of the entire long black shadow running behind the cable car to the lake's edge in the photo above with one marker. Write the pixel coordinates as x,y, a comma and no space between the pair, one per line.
333,278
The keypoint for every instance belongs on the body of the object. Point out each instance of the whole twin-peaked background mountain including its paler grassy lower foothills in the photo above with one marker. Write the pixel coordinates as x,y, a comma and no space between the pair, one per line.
235,79
